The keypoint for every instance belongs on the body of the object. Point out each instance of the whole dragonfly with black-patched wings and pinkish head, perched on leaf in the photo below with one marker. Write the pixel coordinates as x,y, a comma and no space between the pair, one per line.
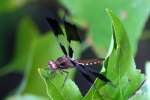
67,61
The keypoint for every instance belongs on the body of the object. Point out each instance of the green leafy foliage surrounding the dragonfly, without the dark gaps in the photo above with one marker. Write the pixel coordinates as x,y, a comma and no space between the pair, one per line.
33,50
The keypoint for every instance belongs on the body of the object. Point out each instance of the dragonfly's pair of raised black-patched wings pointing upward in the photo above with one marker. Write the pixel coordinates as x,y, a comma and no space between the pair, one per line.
71,33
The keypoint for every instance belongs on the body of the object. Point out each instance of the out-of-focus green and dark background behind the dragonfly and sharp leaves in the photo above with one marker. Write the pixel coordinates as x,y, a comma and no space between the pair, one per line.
26,42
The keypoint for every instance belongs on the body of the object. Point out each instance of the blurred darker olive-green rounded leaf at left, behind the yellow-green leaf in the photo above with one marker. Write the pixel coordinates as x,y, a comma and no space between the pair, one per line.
27,32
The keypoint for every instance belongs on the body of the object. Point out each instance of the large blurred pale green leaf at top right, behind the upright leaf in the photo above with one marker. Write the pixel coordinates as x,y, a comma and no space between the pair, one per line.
91,13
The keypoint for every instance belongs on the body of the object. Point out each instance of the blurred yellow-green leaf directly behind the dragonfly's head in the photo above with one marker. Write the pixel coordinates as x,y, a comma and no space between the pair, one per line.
42,50
